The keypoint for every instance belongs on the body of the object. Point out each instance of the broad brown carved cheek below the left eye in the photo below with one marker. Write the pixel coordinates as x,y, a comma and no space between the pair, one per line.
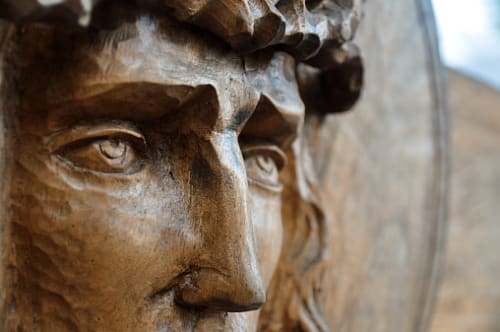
87,234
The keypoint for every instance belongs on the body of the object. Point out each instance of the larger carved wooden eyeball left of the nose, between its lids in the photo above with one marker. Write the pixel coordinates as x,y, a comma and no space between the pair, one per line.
107,155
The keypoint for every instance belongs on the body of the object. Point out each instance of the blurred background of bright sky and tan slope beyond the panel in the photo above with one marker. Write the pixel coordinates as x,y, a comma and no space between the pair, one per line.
470,44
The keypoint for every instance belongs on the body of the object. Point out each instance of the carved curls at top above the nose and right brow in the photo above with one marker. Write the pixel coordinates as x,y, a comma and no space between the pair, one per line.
302,27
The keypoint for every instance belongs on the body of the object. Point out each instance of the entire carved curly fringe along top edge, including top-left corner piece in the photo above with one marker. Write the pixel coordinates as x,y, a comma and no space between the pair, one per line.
301,27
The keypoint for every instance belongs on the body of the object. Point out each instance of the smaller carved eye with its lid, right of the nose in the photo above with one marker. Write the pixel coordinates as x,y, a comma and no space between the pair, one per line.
263,163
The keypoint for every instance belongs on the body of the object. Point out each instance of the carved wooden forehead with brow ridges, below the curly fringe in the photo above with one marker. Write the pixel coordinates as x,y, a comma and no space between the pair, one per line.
152,66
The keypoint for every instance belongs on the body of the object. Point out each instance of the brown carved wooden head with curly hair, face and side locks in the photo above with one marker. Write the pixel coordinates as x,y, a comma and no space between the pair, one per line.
160,162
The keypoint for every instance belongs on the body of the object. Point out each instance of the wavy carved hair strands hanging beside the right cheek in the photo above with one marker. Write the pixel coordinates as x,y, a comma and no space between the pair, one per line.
295,299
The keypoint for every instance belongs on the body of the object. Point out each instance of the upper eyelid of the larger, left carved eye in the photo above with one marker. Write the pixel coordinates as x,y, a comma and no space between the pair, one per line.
59,140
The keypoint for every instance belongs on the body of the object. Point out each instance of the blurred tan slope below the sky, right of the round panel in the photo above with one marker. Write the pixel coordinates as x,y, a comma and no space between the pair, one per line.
469,300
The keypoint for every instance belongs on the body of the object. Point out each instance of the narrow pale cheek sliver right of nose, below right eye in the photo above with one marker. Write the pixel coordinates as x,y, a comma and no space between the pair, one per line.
265,211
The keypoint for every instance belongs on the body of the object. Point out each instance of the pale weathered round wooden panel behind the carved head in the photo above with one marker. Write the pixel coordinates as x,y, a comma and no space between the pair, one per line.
382,179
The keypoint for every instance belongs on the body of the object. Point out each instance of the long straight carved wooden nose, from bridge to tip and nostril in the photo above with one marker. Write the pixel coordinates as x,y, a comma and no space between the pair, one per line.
224,275
